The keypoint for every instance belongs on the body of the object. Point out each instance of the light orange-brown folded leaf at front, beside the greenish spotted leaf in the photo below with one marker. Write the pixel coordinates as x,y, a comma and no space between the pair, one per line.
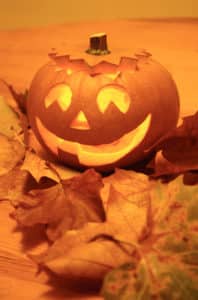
86,253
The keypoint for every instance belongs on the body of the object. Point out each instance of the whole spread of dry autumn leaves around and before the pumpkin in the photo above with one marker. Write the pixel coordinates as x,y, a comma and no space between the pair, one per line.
135,233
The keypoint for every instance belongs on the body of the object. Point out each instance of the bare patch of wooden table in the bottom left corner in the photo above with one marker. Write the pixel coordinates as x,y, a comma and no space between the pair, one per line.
19,277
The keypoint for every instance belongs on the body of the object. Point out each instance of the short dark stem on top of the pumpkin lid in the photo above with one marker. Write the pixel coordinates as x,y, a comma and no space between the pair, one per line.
98,44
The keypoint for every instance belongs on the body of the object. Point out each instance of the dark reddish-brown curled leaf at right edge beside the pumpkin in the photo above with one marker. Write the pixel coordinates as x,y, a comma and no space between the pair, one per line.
179,152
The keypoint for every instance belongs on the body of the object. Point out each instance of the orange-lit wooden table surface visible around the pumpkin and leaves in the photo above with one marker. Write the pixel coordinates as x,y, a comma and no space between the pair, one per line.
174,43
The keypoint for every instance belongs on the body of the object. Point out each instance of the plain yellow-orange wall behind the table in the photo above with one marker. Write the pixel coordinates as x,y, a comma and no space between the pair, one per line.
31,13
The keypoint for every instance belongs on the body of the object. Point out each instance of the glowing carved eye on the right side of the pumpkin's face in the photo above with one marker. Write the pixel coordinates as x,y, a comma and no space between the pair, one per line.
116,95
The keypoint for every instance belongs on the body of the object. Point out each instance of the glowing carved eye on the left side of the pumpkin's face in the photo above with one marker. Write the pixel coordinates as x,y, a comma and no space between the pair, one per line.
62,94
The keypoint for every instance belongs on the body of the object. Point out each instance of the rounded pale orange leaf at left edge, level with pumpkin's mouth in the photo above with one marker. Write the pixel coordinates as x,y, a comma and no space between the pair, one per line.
11,153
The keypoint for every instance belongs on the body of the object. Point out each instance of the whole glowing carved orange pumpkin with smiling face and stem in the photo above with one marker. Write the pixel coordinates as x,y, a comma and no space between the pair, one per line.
103,115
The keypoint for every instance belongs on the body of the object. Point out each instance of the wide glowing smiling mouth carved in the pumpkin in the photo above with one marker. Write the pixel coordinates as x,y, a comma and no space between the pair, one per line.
97,155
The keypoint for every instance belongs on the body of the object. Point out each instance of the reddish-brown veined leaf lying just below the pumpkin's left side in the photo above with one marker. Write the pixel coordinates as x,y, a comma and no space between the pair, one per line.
66,205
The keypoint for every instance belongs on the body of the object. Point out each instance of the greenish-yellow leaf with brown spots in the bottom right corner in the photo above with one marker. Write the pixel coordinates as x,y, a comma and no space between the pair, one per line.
167,266
